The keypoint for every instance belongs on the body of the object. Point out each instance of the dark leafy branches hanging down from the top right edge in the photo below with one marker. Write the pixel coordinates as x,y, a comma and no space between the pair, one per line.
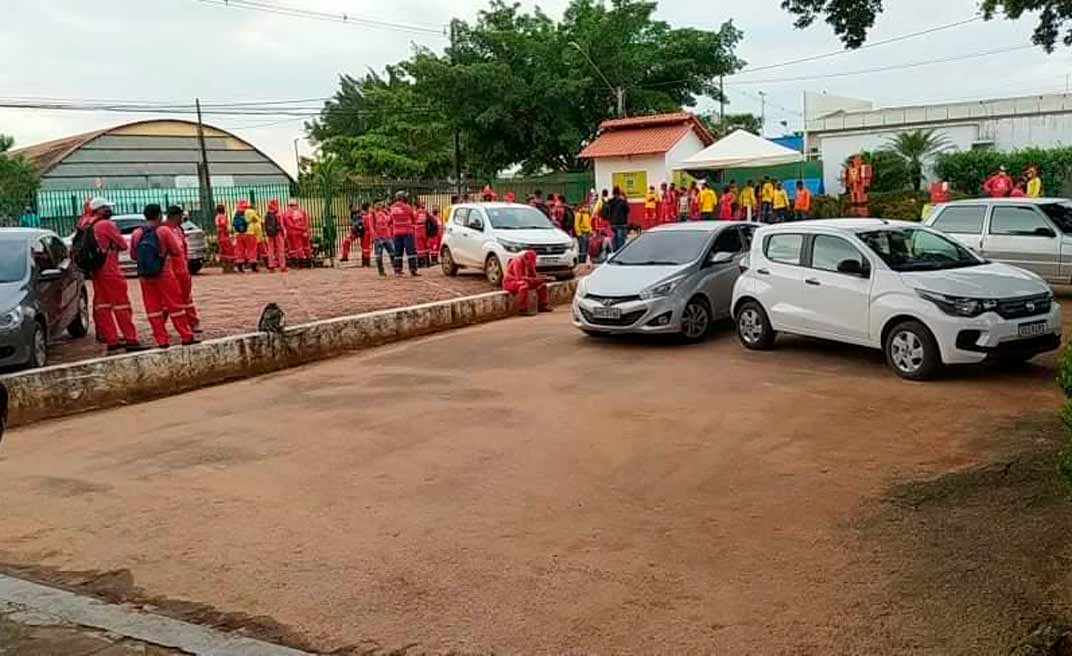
852,20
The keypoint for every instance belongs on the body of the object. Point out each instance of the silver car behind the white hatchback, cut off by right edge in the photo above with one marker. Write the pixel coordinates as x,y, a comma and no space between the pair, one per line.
1035,234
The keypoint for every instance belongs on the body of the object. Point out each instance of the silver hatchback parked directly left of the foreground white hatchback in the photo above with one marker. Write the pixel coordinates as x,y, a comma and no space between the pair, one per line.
673,279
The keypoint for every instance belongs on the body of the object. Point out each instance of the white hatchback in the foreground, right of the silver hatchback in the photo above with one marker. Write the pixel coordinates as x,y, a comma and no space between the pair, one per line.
920,296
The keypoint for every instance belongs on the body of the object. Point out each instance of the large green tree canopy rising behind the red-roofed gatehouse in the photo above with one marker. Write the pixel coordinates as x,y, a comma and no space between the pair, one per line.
519,88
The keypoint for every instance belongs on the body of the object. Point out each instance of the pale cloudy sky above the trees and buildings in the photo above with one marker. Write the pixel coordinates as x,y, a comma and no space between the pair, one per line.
174,51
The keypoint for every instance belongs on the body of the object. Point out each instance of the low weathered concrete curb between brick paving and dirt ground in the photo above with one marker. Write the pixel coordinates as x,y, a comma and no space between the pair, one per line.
68,390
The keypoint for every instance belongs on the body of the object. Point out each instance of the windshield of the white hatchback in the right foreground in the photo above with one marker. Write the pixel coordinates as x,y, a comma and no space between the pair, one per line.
918,250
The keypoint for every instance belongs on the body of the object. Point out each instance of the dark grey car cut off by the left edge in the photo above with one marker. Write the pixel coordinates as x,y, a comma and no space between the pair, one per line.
42,294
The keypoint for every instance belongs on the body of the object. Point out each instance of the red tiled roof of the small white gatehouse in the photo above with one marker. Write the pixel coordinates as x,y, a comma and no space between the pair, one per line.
644,136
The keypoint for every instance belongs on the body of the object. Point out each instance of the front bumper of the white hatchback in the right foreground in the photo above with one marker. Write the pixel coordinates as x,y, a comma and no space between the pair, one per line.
991,337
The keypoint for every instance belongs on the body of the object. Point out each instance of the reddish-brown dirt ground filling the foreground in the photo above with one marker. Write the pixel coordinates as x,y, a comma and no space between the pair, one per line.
519,488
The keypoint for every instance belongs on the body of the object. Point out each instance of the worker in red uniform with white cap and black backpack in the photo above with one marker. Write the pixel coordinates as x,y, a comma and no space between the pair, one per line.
112,306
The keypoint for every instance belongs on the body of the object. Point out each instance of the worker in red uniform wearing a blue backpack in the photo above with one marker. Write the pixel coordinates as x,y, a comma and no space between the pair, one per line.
160,290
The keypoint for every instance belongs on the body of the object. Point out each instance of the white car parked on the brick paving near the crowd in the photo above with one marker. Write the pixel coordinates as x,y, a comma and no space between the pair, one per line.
487,236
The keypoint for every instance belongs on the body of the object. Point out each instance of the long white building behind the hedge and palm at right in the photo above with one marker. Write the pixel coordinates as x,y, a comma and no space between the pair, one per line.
1010,124
